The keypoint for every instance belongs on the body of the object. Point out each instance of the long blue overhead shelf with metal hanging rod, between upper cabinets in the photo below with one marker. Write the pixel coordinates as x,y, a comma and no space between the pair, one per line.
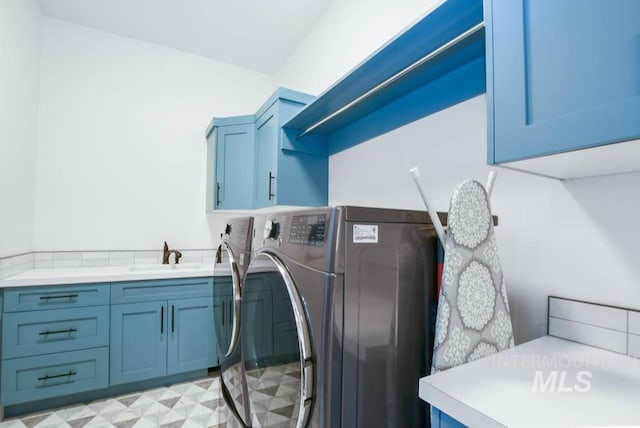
452,77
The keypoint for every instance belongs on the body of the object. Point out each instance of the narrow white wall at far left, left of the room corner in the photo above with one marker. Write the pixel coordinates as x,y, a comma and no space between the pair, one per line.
19,71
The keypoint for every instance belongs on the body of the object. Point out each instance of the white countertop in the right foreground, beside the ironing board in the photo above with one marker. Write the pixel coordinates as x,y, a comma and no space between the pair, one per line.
499,390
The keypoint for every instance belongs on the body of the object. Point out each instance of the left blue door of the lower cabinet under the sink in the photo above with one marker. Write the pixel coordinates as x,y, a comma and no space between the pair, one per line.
138,341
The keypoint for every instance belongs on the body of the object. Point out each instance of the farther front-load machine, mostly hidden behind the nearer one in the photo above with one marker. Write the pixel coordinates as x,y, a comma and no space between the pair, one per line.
232,262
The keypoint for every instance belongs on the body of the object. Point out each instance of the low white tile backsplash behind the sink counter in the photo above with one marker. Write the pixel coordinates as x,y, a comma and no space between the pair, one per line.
14,265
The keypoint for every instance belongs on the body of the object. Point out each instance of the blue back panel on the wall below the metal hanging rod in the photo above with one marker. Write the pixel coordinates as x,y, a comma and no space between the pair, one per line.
462,84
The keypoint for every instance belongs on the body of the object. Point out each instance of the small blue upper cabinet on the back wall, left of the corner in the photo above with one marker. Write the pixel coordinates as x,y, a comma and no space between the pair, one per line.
231,158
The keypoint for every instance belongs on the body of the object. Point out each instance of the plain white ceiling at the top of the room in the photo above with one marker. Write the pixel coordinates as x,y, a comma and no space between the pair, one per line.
255,34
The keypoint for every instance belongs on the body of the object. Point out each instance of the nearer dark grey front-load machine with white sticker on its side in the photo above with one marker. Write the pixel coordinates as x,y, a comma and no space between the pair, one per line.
335,317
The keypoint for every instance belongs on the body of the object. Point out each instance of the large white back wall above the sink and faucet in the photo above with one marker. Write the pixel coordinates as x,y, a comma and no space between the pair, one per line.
121,149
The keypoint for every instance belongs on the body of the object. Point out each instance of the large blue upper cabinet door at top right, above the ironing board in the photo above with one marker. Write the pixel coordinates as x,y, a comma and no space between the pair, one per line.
561,75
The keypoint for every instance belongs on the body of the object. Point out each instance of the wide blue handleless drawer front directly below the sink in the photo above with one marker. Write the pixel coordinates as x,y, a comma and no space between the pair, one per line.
155,290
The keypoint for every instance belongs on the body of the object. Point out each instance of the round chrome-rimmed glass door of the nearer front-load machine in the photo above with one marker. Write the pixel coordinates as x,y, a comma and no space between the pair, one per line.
276,346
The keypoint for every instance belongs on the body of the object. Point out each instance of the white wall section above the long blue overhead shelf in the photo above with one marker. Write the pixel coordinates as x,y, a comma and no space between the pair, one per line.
347,33
